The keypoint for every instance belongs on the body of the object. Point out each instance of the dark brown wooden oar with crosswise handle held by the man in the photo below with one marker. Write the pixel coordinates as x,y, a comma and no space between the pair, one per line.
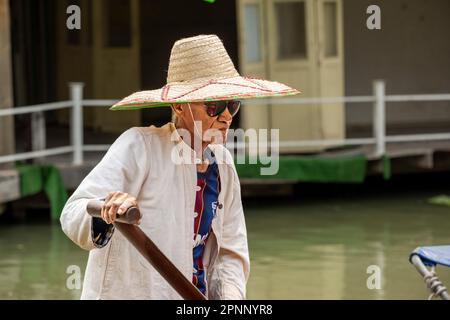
125,224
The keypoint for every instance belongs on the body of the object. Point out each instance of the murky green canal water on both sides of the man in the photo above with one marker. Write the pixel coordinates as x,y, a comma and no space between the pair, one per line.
317,244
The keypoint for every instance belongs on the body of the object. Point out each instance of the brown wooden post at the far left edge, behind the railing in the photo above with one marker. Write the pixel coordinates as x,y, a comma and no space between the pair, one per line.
6,123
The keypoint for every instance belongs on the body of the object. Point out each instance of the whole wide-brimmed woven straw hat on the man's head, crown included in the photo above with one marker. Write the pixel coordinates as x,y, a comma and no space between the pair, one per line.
200,69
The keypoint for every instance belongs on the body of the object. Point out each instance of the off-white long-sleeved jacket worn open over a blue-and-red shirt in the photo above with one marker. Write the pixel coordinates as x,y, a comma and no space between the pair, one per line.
155,166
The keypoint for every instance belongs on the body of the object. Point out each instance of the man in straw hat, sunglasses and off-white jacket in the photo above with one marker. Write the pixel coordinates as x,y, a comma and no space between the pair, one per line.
180,176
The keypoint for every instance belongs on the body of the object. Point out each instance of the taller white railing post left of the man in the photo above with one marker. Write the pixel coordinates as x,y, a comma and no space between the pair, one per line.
76,95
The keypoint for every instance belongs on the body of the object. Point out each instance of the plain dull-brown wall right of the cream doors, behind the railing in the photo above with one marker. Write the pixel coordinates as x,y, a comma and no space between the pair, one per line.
411,52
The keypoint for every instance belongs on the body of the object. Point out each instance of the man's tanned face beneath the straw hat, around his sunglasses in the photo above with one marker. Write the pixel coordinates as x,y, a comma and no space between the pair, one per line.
220,123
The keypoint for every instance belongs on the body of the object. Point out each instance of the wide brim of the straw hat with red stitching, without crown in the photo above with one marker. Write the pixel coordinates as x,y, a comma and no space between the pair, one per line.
234,88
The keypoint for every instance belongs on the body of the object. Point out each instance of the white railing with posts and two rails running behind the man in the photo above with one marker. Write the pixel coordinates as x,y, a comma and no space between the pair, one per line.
77,104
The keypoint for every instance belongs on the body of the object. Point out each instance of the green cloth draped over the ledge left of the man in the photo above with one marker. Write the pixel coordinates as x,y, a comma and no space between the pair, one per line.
47,178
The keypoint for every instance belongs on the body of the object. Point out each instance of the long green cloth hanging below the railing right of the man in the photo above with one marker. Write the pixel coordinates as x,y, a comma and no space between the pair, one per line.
348,169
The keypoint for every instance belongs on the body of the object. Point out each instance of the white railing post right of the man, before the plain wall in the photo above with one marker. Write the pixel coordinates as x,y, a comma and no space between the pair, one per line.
379,117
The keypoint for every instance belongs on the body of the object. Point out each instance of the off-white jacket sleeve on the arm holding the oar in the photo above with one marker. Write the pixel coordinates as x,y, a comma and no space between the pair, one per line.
123,168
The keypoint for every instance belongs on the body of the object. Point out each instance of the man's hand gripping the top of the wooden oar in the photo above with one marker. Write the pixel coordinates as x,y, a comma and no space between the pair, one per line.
117,203
